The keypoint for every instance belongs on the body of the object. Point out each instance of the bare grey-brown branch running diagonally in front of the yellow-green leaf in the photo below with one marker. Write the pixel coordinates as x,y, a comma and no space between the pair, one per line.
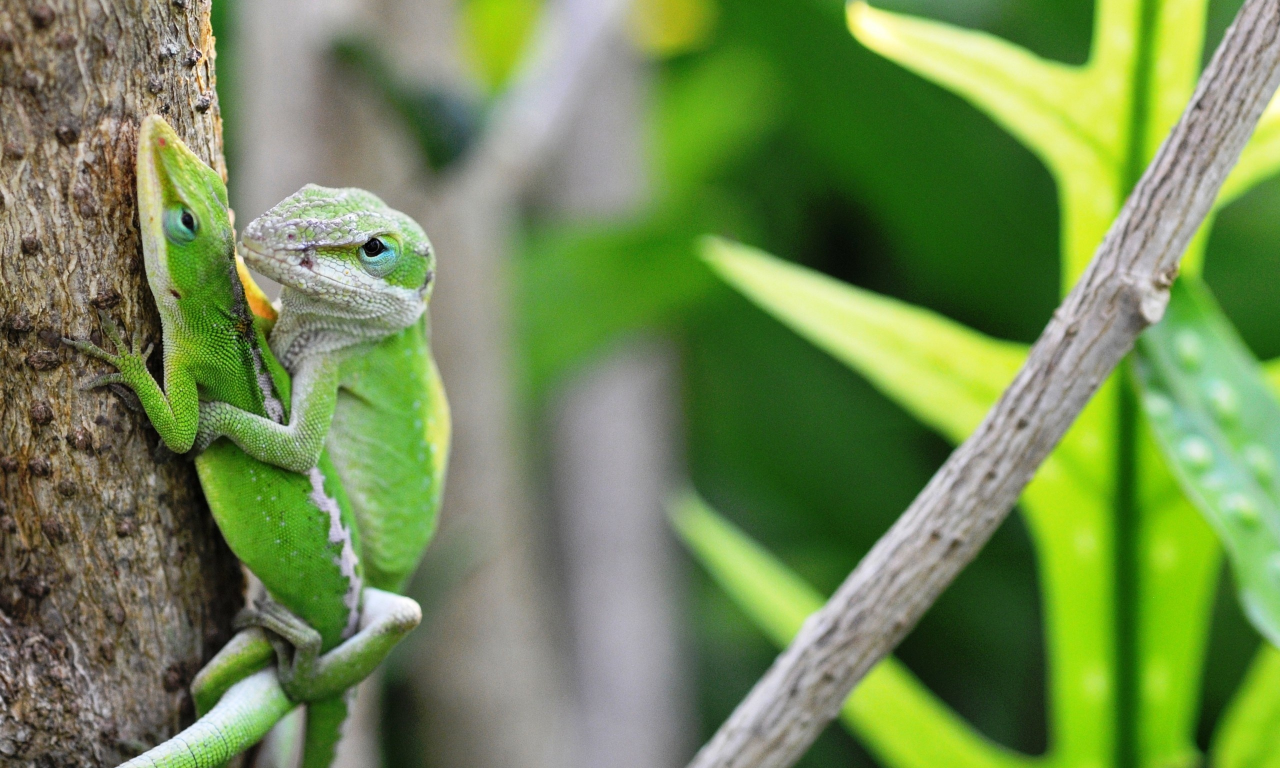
1124,290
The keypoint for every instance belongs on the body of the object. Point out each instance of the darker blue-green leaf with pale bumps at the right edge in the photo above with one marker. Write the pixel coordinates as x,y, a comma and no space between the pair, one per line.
1219,427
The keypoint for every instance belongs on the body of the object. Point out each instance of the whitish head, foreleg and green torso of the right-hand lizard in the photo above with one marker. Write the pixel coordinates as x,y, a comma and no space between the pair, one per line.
353,332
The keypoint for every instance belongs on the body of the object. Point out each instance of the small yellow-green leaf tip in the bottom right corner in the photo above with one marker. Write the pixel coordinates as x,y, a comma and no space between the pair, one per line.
1250,732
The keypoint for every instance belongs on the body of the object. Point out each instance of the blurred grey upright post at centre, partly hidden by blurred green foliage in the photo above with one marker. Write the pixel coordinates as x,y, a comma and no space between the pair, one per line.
612,454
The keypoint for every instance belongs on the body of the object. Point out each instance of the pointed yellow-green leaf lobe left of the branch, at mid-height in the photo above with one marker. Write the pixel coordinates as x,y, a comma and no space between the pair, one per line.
943,373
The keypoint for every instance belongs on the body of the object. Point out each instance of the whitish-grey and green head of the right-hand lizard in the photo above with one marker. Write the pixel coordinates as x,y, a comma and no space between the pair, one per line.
345,249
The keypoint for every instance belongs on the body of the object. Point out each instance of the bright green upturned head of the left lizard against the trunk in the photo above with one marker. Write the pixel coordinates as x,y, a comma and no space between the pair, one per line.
188,236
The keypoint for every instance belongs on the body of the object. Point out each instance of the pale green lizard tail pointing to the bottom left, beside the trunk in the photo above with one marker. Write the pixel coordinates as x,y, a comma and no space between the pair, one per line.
241,719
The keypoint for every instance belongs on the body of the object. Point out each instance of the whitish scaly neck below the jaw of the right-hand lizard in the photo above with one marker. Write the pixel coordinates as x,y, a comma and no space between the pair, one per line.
314,327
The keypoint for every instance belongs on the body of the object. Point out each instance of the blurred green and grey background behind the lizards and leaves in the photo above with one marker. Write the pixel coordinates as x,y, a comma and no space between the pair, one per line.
565,156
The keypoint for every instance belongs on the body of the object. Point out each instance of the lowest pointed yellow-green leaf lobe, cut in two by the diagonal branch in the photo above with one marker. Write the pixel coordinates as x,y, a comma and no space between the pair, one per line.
900,720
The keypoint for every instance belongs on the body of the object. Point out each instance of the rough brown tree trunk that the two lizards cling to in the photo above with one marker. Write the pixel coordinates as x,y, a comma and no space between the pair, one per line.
115,583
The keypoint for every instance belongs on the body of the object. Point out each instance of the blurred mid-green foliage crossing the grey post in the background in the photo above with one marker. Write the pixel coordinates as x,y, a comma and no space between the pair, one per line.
644,272
